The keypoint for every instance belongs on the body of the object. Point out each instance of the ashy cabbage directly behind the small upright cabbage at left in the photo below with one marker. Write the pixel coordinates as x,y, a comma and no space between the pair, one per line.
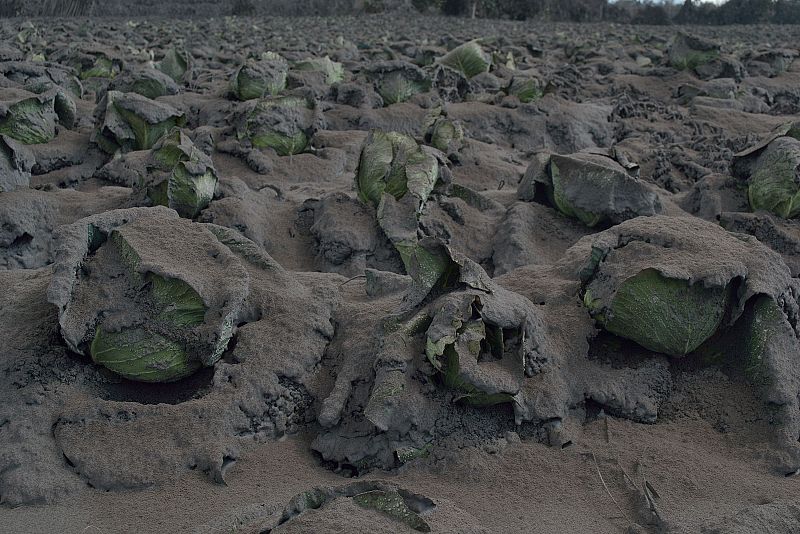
129,121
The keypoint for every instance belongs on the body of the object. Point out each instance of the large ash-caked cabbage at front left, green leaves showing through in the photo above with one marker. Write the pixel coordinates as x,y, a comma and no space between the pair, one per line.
148,295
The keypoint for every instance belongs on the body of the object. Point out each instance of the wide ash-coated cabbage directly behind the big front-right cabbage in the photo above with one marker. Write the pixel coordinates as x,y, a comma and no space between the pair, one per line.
592,187
